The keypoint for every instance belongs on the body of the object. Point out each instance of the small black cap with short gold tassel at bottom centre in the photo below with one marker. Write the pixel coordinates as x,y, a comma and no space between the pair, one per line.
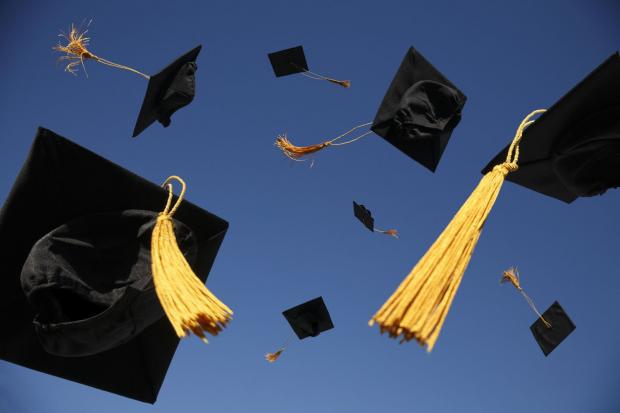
307,320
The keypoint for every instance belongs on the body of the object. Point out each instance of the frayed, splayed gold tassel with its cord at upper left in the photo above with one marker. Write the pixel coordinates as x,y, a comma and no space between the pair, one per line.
76,50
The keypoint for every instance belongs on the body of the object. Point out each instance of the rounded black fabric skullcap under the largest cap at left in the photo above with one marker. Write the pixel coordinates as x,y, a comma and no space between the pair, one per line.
89,281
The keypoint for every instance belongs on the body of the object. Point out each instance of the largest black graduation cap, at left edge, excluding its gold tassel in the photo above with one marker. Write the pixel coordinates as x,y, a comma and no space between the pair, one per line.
67,193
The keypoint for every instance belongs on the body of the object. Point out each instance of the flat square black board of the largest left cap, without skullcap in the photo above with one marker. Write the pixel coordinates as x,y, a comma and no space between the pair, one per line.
59,182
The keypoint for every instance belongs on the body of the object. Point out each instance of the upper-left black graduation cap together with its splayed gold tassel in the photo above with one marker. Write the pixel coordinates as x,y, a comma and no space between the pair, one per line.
167,91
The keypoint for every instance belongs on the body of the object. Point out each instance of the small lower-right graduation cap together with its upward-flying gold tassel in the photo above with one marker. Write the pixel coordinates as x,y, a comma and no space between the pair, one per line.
551,327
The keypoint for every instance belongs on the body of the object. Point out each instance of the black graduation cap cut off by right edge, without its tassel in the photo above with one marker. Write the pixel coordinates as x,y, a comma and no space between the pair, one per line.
573,149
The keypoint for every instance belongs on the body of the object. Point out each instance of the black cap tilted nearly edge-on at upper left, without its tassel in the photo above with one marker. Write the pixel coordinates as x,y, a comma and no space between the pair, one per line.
168,91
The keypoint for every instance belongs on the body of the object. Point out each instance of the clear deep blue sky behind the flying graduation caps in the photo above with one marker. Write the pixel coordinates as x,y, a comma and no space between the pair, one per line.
292,235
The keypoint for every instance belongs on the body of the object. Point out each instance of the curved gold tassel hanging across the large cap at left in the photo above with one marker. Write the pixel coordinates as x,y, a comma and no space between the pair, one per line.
188,304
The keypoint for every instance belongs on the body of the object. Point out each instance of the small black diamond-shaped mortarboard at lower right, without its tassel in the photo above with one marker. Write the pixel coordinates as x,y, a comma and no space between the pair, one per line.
548,338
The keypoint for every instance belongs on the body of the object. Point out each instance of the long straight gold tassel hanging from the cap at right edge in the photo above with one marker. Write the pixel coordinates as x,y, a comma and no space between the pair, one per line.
419,306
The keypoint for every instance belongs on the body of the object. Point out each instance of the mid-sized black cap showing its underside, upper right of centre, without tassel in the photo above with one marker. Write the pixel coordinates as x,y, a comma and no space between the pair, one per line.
419,111
